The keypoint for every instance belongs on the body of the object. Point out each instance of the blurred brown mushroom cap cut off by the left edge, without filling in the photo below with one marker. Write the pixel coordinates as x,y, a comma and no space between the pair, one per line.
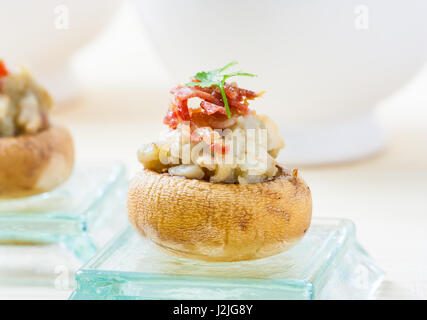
35,163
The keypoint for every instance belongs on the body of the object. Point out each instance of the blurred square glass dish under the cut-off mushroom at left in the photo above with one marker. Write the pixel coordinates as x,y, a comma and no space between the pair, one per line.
43,235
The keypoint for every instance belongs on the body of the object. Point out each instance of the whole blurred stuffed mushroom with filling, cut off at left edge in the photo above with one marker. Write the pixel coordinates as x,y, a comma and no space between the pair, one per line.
35,155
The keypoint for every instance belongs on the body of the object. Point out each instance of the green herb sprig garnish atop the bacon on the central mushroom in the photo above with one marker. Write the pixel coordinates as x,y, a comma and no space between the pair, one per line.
217,78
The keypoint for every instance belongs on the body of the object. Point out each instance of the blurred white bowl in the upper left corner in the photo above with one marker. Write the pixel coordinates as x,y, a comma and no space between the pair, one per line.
44,35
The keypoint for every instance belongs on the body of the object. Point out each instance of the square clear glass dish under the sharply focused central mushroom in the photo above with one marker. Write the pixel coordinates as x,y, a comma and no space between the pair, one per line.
328,263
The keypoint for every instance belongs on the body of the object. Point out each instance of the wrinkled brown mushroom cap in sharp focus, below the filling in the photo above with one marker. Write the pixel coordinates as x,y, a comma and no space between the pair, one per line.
220,222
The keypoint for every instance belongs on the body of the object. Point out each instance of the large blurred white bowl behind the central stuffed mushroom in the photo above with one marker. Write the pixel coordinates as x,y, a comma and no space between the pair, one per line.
325,64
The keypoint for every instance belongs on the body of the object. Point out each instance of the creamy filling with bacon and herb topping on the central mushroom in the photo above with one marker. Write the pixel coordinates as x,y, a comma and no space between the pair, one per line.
214,135
